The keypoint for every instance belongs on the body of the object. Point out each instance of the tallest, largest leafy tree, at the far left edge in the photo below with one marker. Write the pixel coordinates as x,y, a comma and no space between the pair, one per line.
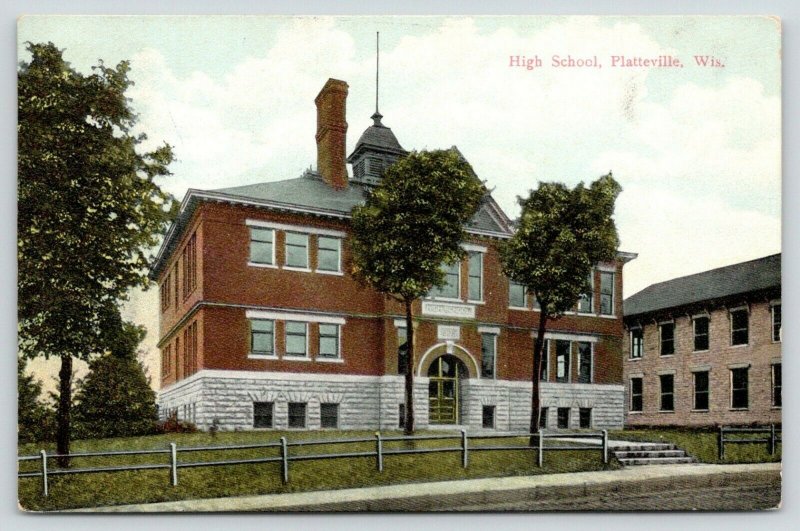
89,209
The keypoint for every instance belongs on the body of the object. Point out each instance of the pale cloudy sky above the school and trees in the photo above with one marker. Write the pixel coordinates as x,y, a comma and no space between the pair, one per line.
696,149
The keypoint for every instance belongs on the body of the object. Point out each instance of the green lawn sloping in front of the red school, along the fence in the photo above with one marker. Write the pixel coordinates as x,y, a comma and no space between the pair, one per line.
98,489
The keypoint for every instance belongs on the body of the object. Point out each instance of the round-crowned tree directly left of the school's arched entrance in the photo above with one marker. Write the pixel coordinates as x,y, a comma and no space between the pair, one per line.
410,225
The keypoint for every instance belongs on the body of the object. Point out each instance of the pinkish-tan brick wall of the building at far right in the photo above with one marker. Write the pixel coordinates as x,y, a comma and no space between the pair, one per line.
760,353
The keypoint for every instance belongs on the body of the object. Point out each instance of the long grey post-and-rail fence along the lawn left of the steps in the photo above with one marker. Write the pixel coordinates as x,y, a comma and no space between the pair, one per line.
379,452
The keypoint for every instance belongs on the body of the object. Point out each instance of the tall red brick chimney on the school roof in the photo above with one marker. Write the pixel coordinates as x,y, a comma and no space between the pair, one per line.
332,133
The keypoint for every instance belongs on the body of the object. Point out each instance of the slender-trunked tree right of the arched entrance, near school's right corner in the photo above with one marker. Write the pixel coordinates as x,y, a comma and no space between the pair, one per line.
561,234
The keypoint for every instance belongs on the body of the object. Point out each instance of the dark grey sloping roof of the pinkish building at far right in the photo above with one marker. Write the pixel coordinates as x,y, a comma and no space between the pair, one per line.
721,283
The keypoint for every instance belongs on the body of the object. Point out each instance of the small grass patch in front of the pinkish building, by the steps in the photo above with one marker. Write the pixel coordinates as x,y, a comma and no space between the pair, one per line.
702,444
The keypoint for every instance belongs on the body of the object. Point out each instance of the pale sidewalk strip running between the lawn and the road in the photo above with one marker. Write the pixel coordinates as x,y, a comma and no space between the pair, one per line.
437,495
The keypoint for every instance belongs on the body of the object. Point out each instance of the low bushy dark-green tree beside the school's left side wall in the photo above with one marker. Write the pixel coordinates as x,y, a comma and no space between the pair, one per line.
115,399
